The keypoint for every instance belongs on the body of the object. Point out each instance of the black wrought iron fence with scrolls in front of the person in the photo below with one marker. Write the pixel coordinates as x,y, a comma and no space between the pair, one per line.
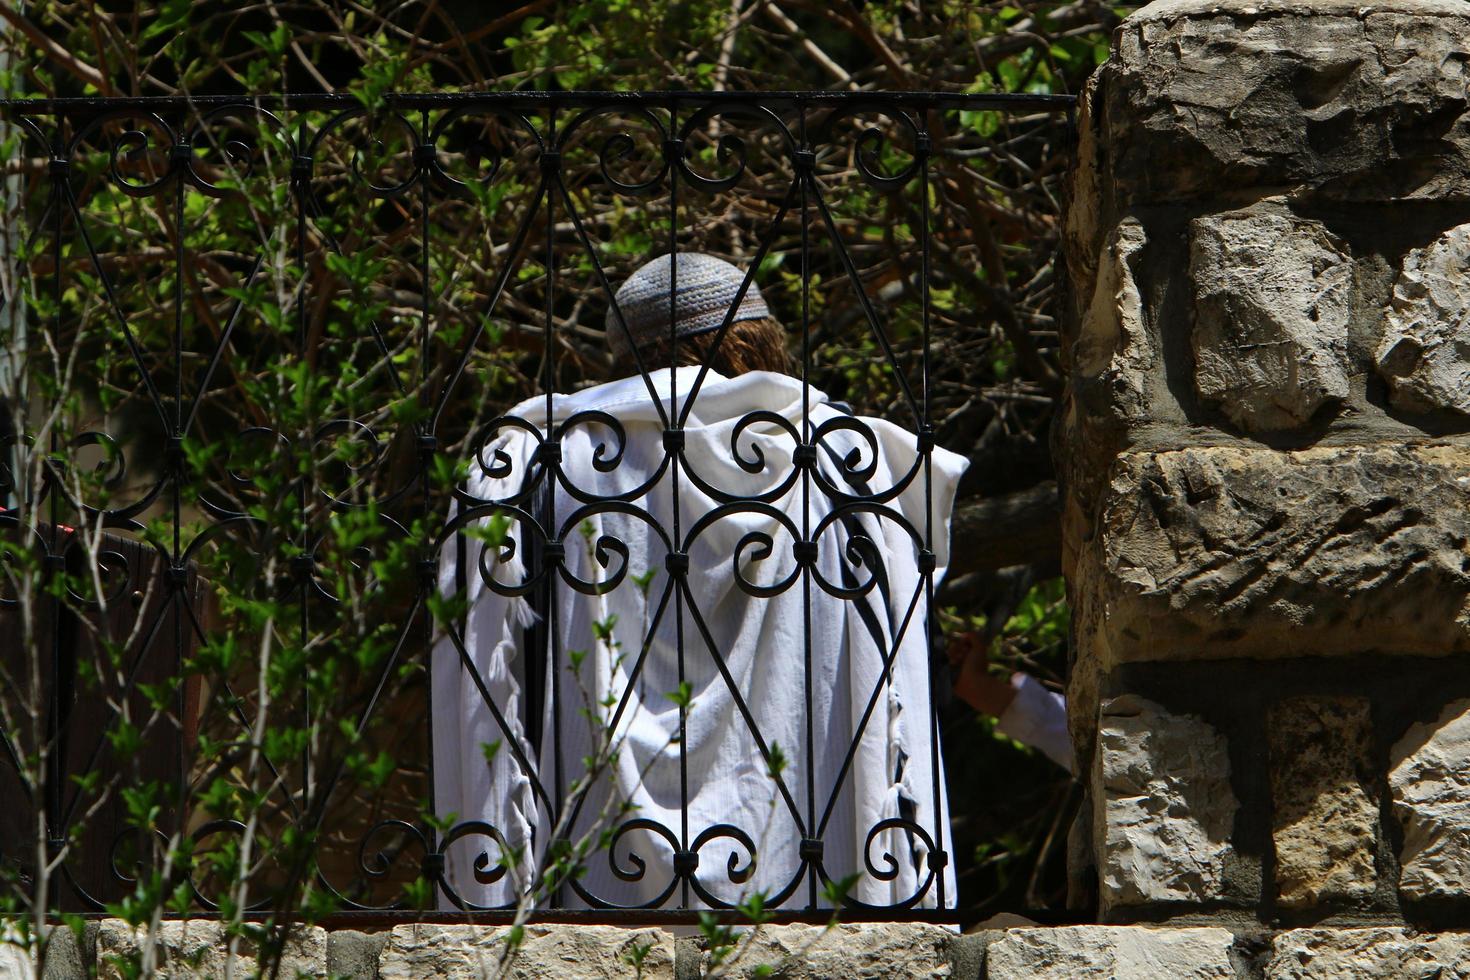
318,612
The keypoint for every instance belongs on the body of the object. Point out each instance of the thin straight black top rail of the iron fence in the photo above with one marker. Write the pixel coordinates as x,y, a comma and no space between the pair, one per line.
1012,102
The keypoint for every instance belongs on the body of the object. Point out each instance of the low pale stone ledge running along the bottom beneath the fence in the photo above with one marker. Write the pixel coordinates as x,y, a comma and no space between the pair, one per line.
870,951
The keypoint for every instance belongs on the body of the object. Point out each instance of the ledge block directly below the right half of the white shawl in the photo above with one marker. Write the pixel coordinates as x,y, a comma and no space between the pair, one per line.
853,951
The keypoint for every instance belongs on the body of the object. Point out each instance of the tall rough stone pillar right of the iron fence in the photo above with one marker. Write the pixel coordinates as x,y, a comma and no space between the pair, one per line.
1266,453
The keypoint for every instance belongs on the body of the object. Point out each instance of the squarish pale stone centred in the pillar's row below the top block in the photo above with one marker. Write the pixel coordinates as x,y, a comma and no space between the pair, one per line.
1272,303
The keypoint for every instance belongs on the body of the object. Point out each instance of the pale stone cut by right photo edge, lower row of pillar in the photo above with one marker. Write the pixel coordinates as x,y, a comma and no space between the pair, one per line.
1430,778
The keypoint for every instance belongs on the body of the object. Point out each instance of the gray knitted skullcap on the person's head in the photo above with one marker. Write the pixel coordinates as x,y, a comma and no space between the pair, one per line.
708,287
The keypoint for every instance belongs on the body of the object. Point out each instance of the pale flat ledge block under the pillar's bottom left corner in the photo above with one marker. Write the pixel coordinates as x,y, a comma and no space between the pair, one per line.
1112,953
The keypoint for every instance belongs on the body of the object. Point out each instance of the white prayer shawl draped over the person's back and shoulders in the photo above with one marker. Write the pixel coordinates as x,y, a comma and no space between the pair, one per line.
761,641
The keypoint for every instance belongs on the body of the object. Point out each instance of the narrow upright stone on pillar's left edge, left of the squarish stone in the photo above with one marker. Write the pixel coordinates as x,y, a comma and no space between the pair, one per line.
1115,355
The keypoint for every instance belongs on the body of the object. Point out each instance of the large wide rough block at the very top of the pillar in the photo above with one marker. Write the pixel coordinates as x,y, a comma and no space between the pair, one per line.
1347,99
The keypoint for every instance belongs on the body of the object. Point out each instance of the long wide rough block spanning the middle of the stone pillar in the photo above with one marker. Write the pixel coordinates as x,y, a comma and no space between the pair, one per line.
1225,552
